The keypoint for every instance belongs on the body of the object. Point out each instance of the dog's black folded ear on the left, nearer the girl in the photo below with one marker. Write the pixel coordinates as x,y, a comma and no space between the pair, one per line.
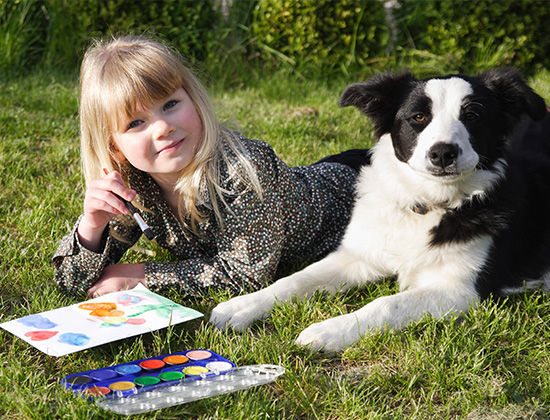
379,98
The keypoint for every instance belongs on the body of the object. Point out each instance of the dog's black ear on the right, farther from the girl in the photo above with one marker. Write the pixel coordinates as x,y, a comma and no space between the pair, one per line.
517,97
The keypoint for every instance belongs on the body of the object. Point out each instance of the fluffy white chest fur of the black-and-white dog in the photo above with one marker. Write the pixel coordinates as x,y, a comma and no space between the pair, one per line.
397,241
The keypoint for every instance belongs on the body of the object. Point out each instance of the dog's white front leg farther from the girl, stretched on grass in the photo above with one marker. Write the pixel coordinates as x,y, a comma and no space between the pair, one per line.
395,311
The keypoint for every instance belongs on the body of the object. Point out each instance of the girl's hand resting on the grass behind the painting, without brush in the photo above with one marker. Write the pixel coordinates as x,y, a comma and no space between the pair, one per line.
118,277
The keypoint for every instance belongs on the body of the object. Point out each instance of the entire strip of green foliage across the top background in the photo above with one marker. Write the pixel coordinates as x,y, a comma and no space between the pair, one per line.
239,40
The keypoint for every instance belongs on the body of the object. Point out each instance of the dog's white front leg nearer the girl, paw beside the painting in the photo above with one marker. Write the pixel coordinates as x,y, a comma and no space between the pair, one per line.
338,271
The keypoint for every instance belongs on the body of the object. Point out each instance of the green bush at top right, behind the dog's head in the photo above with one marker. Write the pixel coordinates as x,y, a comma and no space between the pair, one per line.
473,35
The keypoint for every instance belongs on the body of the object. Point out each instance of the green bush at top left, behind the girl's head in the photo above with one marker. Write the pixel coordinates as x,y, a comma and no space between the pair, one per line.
55,32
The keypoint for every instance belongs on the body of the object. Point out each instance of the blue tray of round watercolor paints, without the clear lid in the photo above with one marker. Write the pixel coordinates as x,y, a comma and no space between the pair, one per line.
147,375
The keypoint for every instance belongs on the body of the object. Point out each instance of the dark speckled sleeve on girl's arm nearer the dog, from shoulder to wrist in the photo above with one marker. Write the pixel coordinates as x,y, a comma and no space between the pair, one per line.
249,247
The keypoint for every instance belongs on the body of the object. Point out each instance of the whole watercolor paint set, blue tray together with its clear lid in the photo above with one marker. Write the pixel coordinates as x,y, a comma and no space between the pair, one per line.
165,381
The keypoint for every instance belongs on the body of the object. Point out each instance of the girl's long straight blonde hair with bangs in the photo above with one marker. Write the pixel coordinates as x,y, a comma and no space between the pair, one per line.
122,73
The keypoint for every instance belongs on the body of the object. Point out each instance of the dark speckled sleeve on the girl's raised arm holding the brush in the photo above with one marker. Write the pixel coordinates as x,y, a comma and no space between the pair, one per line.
77,268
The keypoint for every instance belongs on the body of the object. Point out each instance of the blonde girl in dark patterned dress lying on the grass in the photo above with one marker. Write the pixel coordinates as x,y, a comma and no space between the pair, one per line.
226,207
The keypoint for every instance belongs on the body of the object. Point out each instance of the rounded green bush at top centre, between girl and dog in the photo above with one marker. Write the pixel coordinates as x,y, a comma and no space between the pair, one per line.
320,33
